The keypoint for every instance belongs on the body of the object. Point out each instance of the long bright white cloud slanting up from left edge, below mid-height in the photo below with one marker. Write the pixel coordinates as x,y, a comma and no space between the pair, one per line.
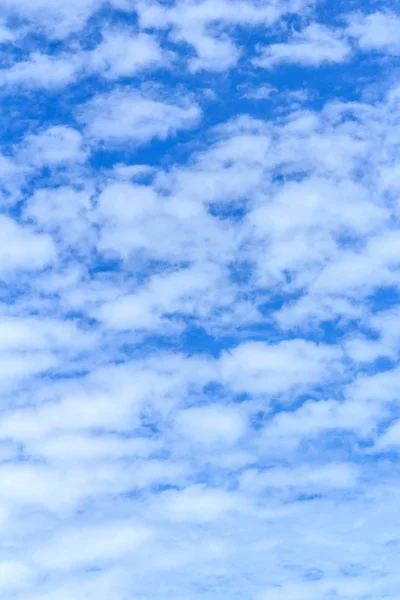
111,398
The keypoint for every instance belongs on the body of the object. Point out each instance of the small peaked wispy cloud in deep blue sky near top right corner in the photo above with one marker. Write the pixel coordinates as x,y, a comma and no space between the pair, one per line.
312,47
